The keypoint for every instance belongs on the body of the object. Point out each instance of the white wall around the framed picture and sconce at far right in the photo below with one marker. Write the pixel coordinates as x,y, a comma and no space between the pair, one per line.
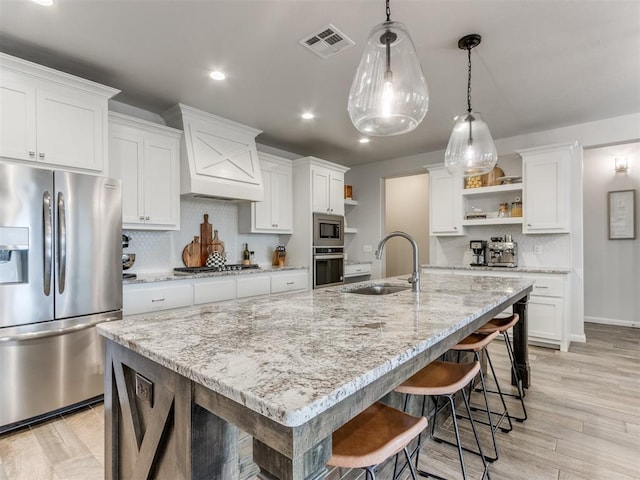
612,267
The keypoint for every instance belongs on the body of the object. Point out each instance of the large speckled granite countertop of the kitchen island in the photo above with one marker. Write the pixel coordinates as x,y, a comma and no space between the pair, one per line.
292,357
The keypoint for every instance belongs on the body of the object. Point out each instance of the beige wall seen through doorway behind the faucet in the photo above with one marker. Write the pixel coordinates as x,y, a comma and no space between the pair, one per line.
406,209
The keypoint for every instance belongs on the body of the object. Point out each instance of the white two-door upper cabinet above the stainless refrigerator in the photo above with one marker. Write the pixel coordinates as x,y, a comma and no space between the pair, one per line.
51,117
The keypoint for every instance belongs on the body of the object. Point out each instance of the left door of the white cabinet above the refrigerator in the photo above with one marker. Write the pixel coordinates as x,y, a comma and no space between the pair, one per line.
17,119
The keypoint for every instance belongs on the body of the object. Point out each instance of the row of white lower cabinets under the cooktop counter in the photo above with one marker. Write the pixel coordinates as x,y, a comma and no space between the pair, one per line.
155,296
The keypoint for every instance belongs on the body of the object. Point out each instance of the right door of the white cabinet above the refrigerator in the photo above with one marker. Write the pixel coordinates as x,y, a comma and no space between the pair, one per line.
70,129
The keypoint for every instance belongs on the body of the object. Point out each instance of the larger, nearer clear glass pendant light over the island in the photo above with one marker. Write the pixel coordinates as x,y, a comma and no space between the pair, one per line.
389,94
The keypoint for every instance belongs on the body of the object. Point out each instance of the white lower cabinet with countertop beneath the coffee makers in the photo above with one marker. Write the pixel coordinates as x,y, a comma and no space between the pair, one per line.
548,309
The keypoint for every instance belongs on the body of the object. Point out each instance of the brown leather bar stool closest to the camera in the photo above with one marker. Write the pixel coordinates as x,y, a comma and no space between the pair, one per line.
373,436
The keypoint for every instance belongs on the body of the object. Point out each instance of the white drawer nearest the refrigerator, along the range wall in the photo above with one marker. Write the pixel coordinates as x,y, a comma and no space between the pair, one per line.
161,296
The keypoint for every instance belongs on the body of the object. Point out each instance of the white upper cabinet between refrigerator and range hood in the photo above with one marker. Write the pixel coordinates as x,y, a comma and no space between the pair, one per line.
145,157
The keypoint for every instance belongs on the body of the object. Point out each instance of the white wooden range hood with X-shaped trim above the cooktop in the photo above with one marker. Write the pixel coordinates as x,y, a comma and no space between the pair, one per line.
218,156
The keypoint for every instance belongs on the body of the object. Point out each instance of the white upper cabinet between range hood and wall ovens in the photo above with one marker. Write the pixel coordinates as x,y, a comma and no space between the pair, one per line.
275,213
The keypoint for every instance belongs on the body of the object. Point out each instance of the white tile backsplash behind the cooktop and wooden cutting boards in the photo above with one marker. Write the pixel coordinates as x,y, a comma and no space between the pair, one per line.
161,251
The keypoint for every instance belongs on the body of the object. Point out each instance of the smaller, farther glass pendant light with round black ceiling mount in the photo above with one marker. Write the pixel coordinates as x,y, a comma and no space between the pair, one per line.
471,150
